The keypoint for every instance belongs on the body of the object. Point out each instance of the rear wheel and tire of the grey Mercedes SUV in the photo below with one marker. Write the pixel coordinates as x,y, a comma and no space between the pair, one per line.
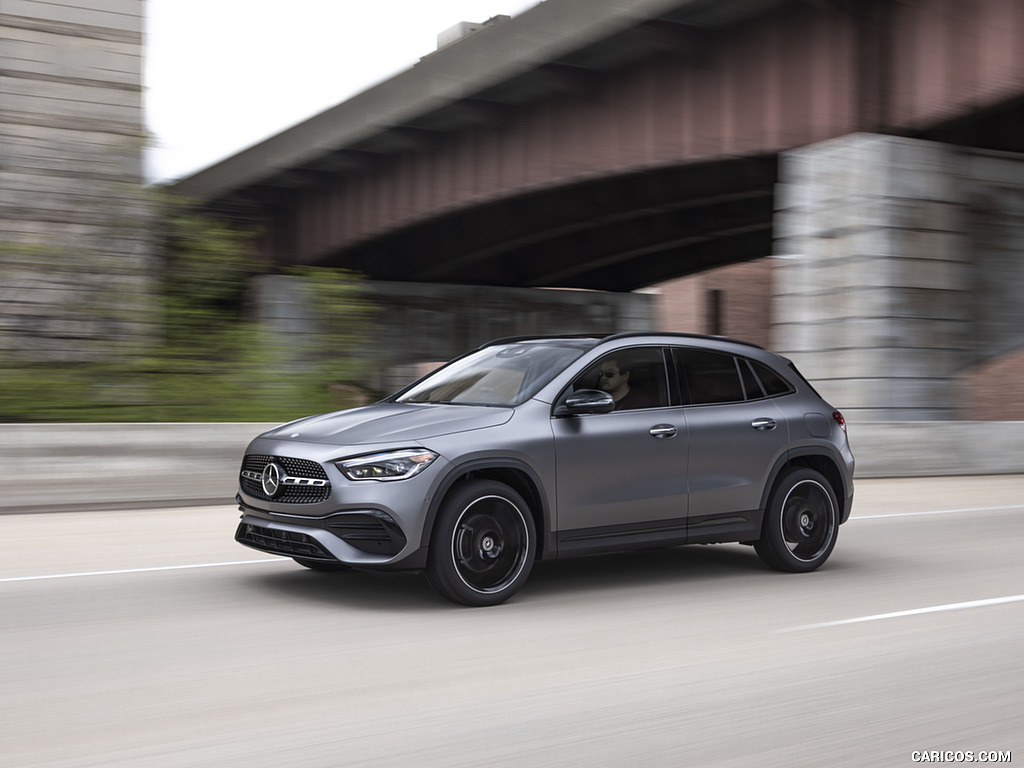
801,523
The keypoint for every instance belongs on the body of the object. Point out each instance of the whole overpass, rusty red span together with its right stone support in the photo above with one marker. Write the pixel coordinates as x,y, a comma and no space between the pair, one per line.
613,145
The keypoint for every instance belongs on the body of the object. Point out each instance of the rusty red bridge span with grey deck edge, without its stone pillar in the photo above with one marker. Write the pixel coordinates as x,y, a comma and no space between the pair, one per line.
612,145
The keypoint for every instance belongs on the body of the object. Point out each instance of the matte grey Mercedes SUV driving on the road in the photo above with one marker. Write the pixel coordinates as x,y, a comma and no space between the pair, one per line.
553,447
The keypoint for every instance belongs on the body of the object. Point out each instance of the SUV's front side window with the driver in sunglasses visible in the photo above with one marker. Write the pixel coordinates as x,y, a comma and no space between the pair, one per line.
635,378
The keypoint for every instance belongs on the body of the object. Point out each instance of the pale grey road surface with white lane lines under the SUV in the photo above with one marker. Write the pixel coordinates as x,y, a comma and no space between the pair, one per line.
152,639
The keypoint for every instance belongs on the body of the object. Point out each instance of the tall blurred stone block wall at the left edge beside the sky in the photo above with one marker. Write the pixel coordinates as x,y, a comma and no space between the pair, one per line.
74,229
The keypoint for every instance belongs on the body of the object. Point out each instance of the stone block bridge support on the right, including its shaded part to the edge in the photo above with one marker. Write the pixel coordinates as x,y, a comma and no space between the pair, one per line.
900,277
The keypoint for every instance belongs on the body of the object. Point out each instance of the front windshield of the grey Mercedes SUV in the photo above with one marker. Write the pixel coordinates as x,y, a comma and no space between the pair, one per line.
500,375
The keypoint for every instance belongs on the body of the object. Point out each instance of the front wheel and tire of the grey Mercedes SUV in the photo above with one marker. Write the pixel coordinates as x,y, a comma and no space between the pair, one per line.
484,544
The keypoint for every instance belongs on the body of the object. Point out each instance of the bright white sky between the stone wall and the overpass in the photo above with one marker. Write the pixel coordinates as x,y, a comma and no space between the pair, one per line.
224,75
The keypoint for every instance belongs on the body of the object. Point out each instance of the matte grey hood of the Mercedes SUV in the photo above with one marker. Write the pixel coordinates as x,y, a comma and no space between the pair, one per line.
391,422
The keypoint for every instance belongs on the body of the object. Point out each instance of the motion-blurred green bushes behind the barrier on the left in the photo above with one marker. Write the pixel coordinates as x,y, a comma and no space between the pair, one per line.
175,340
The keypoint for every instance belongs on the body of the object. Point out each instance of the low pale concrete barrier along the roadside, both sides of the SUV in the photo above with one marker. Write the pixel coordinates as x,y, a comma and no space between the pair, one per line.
54,467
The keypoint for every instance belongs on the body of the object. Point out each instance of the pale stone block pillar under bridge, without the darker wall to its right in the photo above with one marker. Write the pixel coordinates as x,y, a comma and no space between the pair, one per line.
873,287
